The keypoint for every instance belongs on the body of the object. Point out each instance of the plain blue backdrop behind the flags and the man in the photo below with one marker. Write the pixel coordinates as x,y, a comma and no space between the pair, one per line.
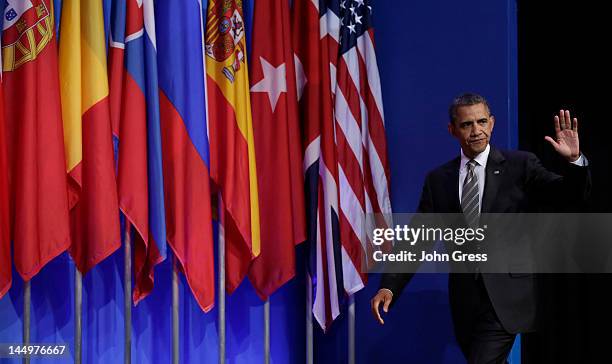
428,51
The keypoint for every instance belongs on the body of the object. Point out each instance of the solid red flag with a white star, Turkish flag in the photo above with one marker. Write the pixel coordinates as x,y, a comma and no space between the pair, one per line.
278,147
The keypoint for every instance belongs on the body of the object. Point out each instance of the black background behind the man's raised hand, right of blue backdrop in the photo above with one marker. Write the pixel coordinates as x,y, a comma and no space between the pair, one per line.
562,65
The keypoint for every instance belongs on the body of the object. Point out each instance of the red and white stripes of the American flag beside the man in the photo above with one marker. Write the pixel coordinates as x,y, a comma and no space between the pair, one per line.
361,149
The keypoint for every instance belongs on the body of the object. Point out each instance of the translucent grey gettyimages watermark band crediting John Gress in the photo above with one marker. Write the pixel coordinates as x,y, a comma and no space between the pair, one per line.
507,243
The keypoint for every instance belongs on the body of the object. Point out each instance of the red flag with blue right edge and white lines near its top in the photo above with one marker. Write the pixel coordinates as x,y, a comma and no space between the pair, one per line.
134,95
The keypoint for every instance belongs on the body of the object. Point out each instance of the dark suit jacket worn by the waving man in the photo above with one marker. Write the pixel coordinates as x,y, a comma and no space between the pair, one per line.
515,182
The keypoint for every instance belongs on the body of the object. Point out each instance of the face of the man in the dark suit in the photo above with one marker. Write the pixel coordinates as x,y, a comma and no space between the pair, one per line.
472,128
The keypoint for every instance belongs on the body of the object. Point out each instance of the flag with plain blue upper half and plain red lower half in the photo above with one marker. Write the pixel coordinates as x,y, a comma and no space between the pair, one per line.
184,143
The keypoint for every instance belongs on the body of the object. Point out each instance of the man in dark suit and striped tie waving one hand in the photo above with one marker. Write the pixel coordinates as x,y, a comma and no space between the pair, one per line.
489,309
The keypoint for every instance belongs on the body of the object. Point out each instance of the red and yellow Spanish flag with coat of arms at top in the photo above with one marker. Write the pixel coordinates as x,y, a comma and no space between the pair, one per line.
231,135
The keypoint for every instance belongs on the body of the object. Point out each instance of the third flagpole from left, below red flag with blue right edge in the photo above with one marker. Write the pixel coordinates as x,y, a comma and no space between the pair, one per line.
127,290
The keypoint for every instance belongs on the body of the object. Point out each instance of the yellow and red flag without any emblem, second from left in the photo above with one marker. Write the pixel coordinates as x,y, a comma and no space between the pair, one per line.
87,133
